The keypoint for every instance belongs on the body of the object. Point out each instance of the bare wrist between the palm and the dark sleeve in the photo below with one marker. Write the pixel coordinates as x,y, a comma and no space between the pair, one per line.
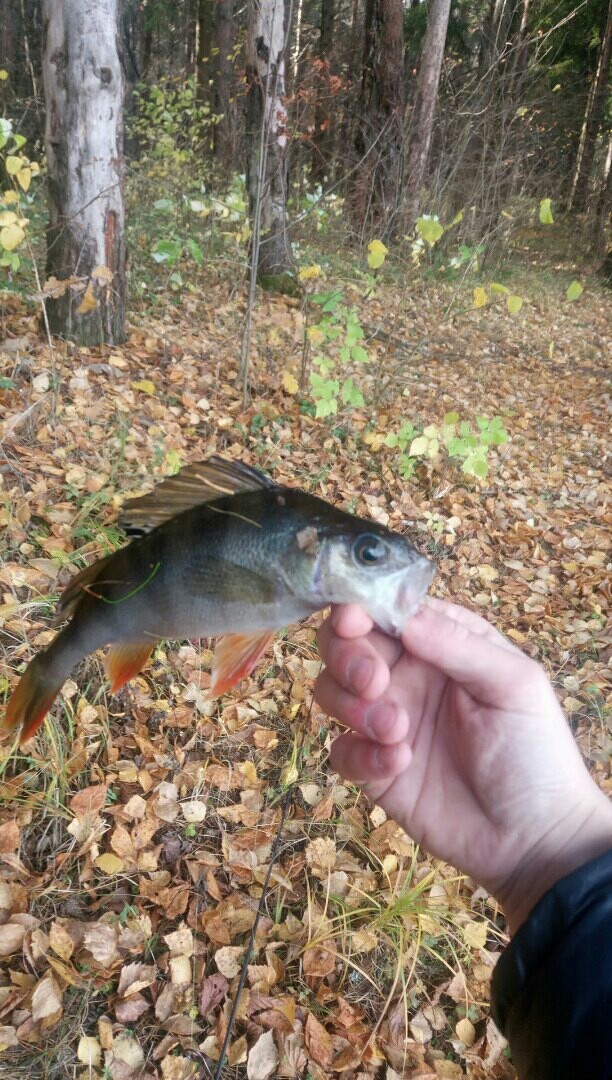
578,839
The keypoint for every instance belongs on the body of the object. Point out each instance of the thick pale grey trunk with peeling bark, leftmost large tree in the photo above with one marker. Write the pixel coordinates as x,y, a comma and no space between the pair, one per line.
84,90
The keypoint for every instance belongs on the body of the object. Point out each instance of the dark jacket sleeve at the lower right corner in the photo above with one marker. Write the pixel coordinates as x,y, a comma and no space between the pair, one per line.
552,993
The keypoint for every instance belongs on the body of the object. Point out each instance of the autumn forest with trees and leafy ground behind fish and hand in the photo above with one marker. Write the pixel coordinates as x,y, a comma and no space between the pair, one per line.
365,247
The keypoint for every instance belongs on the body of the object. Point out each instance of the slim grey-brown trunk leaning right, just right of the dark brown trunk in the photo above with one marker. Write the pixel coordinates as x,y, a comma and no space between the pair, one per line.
426,100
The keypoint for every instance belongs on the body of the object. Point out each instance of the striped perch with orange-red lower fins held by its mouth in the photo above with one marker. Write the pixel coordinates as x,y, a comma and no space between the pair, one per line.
220,550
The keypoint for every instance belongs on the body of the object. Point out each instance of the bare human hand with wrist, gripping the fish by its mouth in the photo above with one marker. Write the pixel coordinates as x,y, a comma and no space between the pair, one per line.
460,738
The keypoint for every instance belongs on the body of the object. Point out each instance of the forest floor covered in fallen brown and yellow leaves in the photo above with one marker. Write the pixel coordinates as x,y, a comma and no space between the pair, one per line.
137,831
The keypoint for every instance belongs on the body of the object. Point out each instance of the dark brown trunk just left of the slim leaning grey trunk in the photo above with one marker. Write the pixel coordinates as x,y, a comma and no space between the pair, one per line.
380,137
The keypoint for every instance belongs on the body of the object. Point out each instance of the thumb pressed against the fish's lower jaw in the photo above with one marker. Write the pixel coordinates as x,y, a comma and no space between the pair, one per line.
471,655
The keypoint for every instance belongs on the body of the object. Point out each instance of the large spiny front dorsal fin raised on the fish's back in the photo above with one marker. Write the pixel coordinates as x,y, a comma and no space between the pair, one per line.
194,485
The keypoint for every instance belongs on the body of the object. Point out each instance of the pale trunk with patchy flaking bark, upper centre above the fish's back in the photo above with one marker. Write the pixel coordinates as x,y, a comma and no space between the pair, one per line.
267,139
